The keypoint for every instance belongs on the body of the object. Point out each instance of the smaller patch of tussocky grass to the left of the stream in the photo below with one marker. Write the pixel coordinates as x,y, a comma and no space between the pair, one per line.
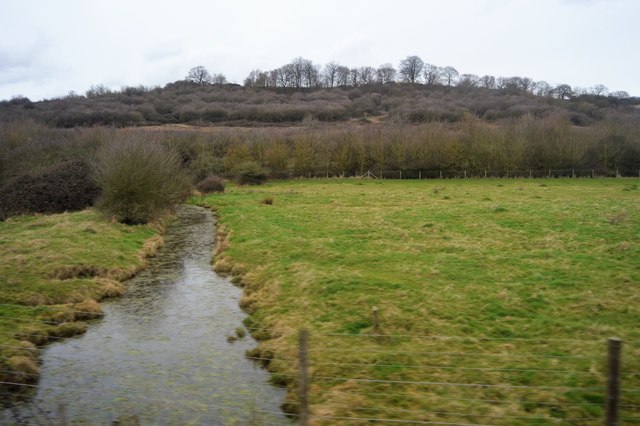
53,269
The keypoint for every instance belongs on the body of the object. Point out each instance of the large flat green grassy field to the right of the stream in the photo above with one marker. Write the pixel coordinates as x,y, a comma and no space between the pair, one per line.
495,296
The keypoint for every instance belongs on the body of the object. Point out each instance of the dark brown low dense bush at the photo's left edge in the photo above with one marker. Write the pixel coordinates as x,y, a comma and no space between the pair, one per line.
66,186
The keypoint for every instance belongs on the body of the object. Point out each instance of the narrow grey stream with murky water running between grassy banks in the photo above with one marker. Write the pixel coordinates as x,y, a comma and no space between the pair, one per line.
161,355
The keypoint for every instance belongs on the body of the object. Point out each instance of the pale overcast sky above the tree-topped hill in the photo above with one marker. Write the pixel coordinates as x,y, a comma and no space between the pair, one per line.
51,47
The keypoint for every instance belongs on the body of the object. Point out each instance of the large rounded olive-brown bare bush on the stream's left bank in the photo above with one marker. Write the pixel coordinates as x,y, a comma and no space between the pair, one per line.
139,179
